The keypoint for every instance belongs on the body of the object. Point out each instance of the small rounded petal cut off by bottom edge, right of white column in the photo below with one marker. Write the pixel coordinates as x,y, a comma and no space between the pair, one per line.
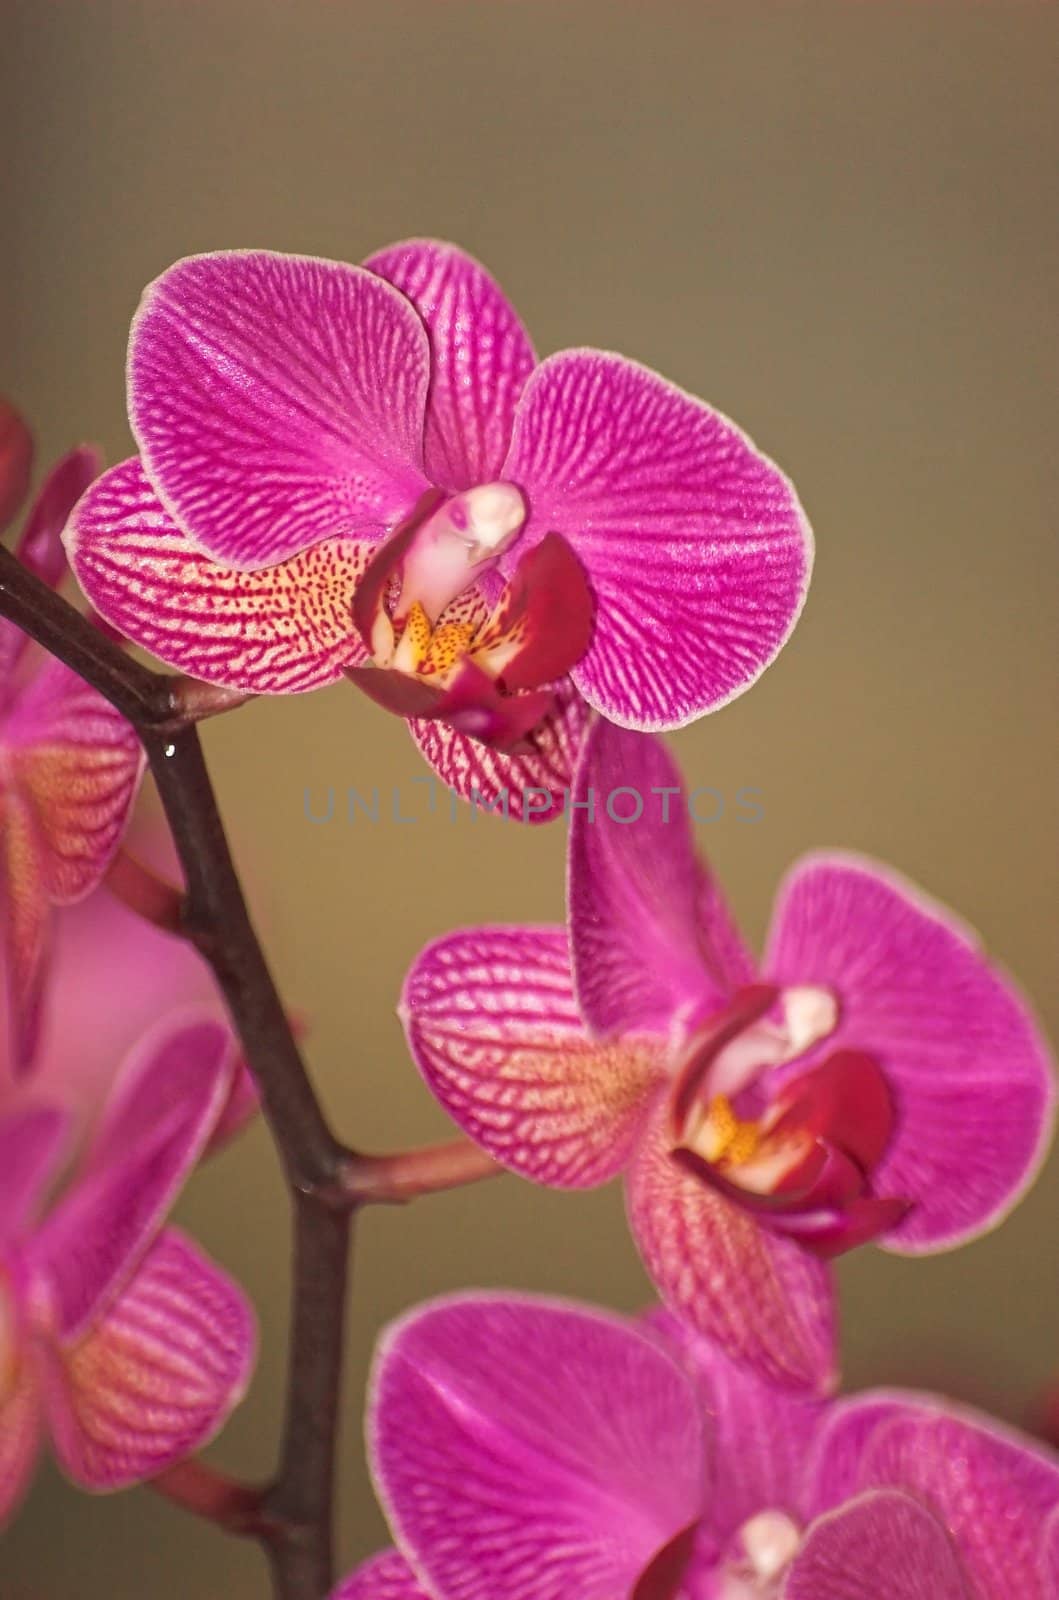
885,1546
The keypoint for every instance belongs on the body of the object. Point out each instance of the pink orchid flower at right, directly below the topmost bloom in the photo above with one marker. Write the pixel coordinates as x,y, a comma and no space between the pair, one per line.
877,1078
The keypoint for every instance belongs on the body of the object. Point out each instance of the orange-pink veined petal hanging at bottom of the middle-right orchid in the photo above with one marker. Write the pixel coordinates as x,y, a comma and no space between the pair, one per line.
764,1300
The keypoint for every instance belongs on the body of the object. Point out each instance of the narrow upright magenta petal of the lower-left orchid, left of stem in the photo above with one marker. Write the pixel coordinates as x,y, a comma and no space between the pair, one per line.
161,1119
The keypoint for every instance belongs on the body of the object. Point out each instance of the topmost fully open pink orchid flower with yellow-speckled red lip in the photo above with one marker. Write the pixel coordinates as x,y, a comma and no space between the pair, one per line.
366,471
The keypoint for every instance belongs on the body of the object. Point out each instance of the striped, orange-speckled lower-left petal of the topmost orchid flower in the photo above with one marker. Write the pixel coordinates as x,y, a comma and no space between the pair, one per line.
278,631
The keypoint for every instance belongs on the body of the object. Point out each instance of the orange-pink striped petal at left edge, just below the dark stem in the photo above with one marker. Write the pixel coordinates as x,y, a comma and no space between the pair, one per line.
78,764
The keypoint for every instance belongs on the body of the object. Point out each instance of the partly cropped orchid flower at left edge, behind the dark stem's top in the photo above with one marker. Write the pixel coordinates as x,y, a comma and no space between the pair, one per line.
70,764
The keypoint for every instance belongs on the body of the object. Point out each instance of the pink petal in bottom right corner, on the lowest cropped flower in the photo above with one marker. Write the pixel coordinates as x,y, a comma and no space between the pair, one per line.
993,1487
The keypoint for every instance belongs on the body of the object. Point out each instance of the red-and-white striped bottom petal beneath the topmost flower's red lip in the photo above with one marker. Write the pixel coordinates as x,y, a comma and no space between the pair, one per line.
530,788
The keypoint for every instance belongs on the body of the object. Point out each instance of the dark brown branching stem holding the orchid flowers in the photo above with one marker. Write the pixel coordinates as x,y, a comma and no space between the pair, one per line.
327,1182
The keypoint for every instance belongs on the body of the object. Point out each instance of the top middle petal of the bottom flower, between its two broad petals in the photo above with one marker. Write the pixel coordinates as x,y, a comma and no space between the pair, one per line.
761,1434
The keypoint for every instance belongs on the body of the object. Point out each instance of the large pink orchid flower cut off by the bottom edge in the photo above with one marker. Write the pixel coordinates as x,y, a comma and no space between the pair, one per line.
535,1450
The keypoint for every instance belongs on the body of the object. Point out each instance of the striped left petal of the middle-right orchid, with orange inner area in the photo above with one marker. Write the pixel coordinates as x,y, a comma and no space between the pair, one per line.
494,1026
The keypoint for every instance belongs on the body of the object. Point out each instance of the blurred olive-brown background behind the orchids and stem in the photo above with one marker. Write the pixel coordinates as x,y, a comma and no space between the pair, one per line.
834,222
